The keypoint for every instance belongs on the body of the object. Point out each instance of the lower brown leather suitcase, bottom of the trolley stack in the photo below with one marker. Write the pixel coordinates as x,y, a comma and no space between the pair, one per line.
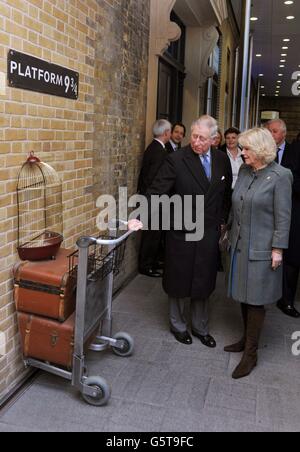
47,340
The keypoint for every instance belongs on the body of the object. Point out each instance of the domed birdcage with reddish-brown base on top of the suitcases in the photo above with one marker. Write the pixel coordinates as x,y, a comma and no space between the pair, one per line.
39,198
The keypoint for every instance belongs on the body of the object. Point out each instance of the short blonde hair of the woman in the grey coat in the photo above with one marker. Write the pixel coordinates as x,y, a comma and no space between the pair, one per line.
261,142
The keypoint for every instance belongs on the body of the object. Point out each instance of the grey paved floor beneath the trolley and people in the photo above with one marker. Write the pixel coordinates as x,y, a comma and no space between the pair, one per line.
169,387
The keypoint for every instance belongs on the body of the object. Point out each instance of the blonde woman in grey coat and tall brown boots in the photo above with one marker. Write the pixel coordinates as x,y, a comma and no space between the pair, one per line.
259,232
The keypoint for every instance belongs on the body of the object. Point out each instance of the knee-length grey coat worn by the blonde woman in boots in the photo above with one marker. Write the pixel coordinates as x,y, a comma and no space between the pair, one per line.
260,221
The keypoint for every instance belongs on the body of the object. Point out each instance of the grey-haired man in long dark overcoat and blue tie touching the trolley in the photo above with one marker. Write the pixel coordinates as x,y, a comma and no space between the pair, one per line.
191,266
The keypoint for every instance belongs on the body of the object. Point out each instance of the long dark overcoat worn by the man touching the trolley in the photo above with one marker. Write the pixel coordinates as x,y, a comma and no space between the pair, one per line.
191,267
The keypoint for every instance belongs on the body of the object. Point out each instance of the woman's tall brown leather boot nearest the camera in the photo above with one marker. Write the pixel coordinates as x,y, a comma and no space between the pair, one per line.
256,317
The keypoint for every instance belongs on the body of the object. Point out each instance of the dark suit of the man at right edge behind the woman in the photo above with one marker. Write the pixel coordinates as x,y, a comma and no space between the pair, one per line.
291,160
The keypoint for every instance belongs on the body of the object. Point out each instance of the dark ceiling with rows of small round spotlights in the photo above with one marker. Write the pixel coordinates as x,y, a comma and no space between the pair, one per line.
269,31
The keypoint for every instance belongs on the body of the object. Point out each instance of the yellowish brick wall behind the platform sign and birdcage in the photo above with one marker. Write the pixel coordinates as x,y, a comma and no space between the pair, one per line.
94,143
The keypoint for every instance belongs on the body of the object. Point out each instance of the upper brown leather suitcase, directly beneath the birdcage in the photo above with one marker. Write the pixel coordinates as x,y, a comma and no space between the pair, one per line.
45,288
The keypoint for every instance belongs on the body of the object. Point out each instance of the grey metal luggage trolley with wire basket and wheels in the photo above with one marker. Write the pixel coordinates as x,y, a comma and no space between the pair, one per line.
94,265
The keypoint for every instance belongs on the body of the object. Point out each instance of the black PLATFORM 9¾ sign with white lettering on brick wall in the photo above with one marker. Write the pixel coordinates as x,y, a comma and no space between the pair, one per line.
30,73
